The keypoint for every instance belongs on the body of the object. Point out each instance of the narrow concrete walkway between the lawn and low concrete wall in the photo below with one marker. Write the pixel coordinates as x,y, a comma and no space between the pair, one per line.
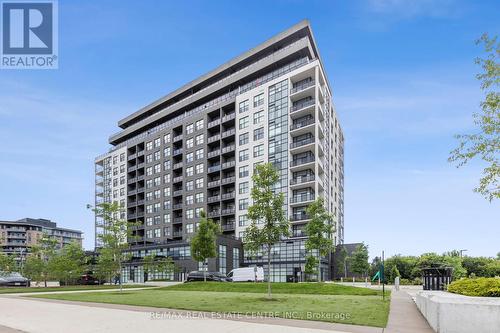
404,316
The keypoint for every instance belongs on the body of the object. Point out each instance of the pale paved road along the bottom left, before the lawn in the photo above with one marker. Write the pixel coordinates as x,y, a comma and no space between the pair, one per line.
37,316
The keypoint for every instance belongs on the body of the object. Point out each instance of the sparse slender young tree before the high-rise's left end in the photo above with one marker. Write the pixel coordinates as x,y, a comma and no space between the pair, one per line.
114,237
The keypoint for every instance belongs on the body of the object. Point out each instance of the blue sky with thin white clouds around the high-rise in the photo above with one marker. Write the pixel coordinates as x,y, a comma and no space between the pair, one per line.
402,74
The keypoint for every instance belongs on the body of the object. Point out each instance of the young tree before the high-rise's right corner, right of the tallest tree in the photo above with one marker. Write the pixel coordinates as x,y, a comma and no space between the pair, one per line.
319,231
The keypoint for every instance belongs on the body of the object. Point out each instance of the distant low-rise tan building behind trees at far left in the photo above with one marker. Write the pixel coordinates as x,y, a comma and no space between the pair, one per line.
17,237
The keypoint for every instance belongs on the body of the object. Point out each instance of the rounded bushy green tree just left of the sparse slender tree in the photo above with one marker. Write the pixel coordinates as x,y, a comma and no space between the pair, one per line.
68,264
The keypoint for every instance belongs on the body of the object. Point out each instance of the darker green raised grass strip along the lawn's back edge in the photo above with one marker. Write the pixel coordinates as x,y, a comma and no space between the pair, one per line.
277,288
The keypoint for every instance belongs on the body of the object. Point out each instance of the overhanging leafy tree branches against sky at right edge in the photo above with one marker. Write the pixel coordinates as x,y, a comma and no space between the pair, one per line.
485,144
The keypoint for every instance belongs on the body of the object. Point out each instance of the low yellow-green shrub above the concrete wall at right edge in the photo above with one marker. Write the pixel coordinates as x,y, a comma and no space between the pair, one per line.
488,287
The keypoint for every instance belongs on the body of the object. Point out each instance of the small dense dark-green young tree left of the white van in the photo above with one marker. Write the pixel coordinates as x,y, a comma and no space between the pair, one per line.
204,242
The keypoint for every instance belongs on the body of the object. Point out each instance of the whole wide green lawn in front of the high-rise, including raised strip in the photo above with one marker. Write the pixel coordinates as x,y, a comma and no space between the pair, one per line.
326,302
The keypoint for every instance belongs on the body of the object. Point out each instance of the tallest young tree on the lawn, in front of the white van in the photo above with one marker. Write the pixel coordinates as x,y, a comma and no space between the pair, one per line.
267,208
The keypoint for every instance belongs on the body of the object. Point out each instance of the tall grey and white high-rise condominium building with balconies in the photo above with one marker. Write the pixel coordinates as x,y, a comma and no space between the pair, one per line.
196,148
